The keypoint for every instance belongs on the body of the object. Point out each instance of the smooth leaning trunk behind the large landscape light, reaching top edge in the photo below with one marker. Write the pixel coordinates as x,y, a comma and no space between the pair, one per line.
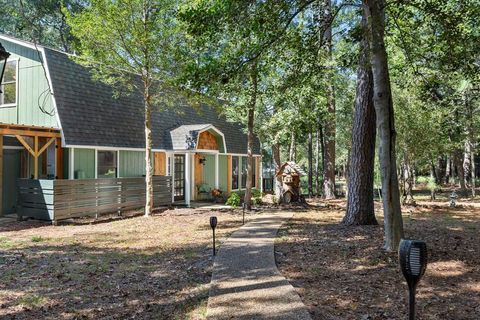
383,103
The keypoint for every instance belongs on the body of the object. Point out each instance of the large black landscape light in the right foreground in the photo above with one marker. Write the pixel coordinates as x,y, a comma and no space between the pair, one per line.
413,261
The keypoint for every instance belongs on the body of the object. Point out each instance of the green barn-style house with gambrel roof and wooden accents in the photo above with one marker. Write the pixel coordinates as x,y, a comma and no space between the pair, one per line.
58,123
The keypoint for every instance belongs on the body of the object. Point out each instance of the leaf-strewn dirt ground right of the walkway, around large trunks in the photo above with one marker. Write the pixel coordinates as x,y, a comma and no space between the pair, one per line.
343,273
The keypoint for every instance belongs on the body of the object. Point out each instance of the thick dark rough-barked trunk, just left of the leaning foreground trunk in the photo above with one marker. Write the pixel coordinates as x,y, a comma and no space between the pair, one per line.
360,208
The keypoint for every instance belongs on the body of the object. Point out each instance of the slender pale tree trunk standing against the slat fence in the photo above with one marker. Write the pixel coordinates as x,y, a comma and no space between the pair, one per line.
148,149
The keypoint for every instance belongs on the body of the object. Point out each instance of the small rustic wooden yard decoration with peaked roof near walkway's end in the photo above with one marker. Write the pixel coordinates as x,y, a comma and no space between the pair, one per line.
291,173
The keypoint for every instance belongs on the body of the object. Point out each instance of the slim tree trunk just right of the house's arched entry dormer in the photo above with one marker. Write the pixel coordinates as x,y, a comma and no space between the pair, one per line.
250,137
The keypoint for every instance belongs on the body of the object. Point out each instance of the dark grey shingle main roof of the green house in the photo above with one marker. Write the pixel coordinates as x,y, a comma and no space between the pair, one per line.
90,116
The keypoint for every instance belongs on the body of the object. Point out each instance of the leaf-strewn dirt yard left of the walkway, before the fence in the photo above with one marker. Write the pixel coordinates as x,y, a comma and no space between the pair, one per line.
135,268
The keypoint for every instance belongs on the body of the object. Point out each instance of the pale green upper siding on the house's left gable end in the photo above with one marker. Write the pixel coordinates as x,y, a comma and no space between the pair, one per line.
32,90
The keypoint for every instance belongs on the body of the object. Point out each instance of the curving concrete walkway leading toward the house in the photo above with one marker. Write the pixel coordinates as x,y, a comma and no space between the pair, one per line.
246,283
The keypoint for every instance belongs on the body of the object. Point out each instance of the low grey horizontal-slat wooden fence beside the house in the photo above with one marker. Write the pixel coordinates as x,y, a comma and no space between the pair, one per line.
92,197
